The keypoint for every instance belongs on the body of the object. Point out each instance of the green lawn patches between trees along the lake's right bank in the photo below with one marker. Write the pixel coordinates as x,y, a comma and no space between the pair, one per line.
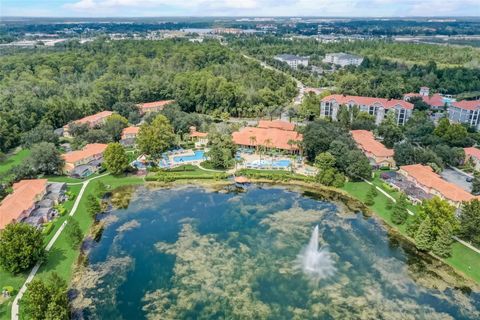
463,259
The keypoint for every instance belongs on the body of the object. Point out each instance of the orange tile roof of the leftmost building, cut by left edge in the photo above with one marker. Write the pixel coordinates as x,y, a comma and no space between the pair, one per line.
23,198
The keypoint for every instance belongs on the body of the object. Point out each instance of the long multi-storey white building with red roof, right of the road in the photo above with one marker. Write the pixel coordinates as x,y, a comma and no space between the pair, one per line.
378,107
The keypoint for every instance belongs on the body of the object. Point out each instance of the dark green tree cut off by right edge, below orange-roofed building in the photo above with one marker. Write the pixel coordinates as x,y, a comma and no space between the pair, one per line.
469,220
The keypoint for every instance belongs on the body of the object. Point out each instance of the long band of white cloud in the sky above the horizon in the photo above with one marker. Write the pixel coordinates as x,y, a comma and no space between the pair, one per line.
278,7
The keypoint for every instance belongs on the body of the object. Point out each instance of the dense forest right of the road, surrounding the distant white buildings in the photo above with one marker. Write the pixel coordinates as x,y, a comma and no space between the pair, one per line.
389,70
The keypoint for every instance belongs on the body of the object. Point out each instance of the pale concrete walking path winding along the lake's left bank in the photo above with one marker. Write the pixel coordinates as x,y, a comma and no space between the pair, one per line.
21,292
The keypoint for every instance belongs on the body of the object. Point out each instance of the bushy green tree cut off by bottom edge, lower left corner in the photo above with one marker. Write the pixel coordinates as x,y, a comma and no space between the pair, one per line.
46,299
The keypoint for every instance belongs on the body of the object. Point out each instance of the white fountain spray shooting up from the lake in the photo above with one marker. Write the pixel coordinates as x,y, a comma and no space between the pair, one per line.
314,262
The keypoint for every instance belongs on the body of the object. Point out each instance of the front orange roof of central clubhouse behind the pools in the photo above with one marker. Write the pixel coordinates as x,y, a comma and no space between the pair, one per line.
277,138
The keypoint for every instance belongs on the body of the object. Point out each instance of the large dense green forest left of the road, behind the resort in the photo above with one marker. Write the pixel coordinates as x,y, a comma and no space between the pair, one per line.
60,85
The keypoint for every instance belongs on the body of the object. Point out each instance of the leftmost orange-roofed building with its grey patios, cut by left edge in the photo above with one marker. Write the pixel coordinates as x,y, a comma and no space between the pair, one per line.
32,202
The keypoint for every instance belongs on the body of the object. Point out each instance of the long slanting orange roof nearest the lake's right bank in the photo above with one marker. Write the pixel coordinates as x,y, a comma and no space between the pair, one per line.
425,175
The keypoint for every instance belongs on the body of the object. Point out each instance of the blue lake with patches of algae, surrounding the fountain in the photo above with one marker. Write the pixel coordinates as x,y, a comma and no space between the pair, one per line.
195,254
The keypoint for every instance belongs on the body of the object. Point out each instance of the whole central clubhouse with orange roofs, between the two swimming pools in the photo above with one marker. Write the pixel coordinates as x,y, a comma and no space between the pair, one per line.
279,135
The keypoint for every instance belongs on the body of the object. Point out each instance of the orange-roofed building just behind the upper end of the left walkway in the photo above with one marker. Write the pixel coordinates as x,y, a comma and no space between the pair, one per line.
82,163
